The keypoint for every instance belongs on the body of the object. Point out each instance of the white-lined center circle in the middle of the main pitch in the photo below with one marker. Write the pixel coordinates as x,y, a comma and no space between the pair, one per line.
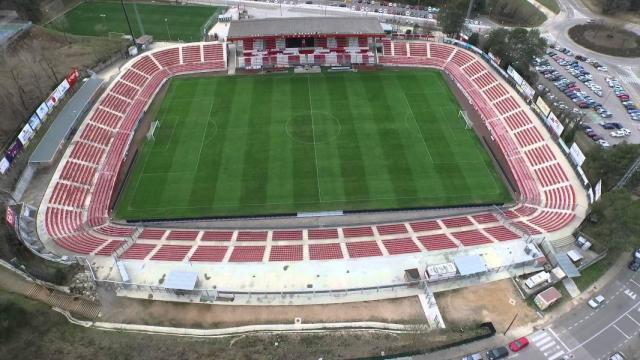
313,127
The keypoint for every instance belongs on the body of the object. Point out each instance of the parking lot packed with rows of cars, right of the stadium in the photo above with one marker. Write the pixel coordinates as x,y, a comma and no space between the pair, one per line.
567,80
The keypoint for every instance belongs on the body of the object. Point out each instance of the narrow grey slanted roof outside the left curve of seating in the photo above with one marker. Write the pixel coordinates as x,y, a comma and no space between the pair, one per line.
65,121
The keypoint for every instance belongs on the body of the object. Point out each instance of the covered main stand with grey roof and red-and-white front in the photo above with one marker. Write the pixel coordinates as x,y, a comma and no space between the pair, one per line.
333,41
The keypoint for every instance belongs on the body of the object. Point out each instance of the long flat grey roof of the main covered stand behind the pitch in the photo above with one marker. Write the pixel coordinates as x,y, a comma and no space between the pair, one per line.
303,26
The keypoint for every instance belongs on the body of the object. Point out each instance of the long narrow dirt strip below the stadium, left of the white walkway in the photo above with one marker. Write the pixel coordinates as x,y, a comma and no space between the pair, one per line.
403,310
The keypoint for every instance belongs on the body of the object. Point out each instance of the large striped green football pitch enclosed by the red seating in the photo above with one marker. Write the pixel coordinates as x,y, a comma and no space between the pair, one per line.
268,144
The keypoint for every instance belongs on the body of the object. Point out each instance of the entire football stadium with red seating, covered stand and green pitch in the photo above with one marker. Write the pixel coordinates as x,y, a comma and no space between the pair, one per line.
307,161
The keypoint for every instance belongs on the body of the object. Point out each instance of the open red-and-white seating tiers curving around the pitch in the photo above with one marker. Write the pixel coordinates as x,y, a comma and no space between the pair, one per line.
74,216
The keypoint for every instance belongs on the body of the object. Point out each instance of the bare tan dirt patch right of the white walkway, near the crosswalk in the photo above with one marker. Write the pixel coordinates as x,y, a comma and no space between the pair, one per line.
497,302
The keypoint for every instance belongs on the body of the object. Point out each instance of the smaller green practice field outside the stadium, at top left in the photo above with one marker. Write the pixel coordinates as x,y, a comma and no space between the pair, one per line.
99,18
